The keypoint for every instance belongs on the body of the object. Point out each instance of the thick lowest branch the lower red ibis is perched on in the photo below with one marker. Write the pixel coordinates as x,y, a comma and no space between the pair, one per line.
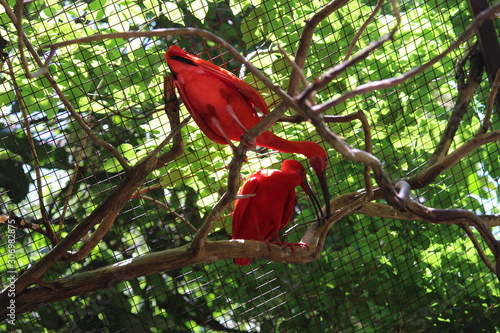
80,283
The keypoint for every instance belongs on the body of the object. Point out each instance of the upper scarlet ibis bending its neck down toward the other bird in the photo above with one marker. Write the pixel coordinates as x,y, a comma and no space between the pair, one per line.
225,107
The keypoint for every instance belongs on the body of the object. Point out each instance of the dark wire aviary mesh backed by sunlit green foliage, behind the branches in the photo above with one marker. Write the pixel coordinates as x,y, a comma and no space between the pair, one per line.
374,274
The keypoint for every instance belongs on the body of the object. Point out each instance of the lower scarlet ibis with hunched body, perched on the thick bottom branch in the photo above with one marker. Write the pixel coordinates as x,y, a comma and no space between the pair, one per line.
262,216
